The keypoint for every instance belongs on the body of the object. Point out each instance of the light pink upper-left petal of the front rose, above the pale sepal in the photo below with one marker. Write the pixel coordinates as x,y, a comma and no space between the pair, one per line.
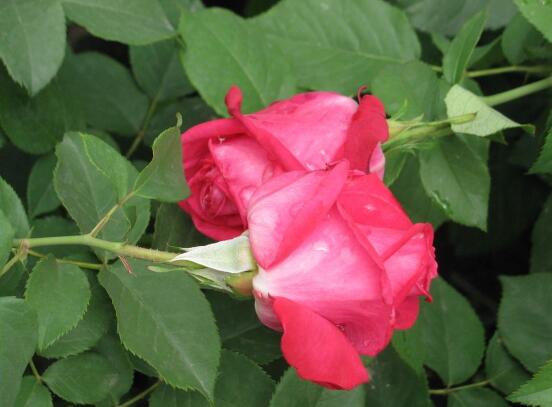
287,208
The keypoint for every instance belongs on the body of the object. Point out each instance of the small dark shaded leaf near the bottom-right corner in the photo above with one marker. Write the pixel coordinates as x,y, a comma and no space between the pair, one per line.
505,373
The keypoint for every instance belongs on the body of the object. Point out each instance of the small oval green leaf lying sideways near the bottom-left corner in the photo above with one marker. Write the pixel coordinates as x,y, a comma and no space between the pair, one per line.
84,379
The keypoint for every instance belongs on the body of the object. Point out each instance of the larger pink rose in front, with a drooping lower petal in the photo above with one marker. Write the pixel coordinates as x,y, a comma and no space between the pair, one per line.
341,266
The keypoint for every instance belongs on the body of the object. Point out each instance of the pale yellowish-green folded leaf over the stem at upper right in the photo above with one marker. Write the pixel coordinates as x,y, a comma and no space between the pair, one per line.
488,121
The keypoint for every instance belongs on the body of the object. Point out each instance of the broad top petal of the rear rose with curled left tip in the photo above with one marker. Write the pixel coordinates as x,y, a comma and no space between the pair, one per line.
311,126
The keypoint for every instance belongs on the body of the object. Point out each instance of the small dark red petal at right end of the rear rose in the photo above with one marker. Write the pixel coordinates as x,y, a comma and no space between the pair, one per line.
368,128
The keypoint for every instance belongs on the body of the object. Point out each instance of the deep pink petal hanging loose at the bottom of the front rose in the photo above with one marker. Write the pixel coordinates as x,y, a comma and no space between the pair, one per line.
317,349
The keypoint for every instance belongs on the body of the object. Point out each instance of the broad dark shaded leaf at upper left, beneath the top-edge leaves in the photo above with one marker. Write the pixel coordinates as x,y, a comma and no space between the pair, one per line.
121,109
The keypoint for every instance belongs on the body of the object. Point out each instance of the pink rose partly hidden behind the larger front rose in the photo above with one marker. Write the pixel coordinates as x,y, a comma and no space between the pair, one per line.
226,160
